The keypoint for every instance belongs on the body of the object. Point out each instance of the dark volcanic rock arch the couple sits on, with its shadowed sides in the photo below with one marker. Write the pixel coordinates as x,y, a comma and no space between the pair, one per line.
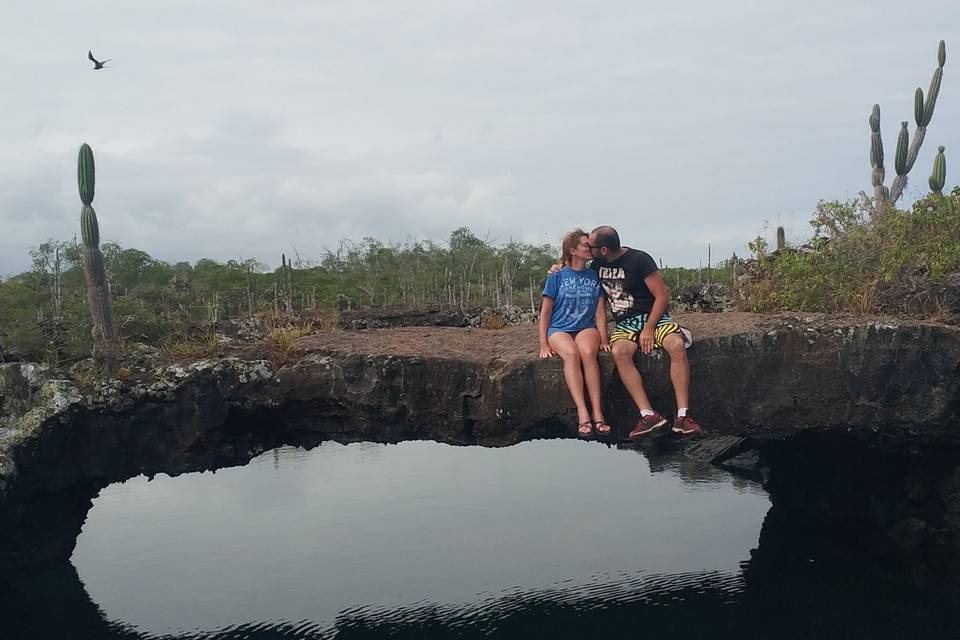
785,389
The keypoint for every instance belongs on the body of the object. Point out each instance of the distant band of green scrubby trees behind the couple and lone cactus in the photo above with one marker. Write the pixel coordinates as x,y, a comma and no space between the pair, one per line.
44,314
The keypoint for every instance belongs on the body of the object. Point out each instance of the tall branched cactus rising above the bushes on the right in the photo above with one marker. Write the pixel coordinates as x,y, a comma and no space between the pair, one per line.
907,151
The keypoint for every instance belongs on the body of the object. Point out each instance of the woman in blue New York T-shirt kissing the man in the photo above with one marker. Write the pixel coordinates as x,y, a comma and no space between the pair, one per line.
573,325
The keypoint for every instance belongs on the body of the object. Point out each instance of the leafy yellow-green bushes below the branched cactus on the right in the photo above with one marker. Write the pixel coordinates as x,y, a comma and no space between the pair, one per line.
862,260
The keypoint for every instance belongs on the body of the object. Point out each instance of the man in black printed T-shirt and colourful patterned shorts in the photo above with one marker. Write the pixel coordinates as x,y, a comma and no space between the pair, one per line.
638,299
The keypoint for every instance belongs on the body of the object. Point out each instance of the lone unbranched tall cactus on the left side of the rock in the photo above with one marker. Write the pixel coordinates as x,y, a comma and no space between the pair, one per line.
98,293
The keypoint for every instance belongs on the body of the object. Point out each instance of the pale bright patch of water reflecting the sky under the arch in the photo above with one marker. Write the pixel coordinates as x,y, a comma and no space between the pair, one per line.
318,532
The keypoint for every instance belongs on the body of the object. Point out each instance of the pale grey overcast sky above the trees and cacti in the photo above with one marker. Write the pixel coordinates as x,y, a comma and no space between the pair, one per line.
244,129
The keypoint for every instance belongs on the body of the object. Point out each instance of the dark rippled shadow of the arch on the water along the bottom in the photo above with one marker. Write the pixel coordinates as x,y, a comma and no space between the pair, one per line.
794,601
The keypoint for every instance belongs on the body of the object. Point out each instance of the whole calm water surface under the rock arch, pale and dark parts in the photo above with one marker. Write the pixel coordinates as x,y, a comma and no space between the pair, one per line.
543,539
